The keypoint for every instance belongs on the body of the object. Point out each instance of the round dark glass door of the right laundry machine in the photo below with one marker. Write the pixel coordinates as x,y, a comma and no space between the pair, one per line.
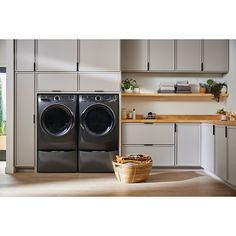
98,120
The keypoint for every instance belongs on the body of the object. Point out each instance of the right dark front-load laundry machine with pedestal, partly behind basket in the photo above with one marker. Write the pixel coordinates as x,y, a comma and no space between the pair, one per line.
98,132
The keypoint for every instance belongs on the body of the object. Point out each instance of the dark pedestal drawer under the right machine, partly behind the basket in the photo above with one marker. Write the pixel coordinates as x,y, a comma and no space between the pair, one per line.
96,161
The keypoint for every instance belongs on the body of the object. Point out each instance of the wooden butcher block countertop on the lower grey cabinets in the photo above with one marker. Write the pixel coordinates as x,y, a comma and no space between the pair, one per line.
209,119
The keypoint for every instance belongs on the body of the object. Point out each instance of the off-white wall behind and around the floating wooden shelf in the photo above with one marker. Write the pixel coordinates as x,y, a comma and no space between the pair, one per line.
149,82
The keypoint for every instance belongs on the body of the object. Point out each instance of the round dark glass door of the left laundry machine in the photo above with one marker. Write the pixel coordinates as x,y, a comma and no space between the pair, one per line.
57,120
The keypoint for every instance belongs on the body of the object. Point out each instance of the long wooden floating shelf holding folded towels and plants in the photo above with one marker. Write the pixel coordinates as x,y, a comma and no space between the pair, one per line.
175,96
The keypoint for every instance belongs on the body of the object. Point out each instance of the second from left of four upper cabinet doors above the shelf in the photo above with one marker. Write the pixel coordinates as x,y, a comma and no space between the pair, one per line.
161,55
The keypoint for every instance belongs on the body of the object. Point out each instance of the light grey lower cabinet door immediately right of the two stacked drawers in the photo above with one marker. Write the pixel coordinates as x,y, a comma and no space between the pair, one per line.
188,145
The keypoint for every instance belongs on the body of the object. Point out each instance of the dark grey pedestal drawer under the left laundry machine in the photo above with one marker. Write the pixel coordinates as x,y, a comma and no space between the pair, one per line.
57,161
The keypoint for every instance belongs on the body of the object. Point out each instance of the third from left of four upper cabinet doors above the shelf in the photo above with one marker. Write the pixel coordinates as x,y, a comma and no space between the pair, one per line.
188,55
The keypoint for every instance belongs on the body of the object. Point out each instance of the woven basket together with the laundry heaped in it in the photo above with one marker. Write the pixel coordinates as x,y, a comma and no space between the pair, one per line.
132,168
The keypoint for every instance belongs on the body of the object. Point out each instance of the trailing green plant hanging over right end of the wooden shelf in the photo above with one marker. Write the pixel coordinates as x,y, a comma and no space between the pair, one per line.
214,88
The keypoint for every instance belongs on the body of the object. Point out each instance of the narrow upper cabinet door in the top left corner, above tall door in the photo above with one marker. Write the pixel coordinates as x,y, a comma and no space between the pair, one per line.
24,55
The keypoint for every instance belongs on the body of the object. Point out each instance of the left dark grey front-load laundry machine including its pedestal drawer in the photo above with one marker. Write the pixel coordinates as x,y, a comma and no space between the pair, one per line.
57,141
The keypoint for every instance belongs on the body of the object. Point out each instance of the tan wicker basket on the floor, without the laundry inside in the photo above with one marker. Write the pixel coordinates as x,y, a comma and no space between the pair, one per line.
132,173
